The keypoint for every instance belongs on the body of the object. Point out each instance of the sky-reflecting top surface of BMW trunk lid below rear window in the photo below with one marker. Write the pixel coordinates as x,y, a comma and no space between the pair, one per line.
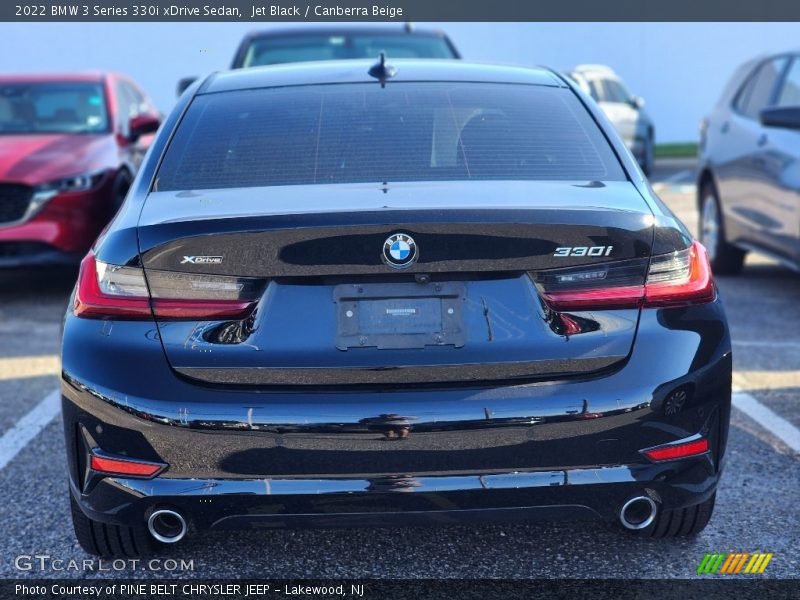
231,203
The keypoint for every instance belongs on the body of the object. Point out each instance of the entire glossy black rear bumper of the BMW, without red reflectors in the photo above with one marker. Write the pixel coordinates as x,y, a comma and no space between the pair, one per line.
261,458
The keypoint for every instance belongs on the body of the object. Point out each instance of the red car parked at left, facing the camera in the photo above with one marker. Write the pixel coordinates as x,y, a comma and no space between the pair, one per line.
70,146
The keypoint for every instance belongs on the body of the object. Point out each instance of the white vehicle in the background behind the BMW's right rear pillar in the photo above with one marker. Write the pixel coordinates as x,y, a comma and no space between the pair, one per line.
623,109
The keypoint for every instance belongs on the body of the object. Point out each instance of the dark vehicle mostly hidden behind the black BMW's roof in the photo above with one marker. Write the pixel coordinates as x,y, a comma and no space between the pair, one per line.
336,43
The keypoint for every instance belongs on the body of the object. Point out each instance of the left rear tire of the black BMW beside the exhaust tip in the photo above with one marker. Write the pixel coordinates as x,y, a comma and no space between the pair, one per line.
112,541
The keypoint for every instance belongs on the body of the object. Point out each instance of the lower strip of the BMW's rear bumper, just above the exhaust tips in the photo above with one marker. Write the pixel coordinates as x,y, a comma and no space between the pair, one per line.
574,494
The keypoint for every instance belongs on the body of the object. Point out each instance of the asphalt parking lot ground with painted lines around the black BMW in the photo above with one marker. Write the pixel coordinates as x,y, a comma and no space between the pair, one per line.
756,505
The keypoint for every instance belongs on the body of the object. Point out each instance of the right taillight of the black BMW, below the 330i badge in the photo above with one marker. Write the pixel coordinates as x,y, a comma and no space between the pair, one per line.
676,279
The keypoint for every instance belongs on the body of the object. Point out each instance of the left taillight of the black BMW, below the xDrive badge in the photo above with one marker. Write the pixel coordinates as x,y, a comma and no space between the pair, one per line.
120,292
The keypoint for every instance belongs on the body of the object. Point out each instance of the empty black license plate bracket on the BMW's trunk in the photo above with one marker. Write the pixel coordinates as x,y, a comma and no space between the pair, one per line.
391,316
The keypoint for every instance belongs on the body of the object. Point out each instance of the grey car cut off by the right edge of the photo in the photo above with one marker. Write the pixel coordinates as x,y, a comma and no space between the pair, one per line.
749,166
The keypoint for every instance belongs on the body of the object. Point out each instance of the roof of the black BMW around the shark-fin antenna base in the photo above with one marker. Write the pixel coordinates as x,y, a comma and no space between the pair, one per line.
355,71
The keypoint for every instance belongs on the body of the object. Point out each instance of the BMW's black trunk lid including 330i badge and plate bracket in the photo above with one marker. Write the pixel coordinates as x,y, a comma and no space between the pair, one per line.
332,312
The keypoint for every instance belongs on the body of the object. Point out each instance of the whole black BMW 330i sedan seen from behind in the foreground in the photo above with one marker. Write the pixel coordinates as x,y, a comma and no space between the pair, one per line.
359,293
